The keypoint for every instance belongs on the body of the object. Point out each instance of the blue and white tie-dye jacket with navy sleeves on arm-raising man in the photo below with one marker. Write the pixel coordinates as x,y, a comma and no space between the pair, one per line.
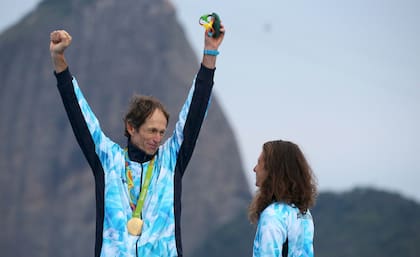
162,208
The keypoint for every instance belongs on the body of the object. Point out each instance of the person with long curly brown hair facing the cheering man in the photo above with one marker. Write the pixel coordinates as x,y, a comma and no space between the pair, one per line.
287,190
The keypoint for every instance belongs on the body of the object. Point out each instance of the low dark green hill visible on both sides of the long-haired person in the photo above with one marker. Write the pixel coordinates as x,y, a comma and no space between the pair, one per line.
364,222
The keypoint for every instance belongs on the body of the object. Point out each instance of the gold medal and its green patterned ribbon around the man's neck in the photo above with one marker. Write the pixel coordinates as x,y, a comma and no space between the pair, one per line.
135,224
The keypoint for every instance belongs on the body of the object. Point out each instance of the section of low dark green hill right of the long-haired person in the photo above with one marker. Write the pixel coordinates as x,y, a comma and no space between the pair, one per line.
366,222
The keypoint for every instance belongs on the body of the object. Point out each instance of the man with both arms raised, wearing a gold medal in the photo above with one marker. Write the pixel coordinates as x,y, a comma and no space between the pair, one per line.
138,187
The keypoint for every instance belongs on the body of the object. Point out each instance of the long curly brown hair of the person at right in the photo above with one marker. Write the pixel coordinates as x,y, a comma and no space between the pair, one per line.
289,179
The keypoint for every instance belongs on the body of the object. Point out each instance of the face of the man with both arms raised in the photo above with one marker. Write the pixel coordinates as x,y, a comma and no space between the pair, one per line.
149,136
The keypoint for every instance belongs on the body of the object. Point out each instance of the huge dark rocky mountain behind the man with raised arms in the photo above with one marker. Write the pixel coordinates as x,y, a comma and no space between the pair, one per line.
119,48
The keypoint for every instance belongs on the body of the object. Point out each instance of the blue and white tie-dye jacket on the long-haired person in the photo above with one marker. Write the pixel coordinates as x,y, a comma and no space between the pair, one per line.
284,231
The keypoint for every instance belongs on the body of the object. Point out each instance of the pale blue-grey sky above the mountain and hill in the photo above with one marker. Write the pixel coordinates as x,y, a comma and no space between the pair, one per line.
339,78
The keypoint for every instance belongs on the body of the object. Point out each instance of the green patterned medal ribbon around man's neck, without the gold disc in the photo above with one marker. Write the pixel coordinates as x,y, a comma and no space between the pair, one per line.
144,188
